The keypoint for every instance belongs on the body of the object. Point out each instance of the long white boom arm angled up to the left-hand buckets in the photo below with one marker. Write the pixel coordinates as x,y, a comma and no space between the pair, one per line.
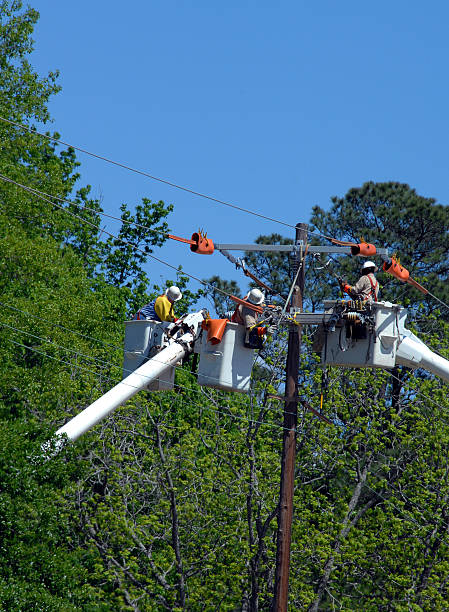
131,385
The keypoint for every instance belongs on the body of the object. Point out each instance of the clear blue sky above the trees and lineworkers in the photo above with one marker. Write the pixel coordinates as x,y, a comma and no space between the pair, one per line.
273,106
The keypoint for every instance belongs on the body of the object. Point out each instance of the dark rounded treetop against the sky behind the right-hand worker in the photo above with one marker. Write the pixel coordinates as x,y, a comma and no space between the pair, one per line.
393,215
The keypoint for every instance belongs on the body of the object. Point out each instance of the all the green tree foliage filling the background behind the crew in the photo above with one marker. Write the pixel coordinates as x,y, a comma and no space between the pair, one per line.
171,503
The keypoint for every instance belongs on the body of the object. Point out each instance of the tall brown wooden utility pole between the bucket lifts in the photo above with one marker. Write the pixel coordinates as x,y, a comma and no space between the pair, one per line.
285,512
